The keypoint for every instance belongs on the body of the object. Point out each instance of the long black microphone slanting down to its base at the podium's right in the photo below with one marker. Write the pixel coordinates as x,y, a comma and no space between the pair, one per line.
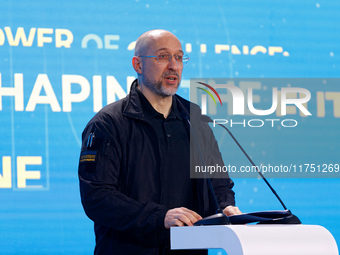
271,217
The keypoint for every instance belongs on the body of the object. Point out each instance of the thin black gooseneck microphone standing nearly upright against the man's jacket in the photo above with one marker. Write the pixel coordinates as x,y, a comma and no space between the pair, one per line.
219,218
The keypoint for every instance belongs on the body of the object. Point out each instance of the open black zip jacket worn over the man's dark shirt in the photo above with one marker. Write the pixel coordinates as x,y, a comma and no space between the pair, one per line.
119,175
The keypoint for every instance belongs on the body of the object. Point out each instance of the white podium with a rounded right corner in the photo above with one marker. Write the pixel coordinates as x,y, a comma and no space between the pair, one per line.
256,239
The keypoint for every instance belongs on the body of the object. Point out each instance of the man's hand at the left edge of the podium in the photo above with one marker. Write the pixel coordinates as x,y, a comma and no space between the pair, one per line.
179,217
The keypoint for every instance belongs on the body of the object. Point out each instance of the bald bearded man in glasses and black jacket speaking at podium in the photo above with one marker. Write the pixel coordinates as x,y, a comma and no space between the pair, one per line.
134,165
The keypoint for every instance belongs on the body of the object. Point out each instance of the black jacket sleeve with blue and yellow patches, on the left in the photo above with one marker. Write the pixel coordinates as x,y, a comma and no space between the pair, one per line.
99,171
